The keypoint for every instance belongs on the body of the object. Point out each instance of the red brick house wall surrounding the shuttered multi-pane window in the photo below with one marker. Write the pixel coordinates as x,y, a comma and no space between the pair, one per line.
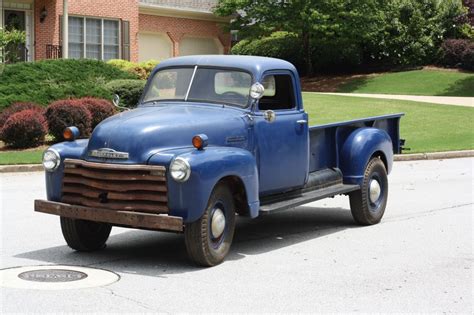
48,31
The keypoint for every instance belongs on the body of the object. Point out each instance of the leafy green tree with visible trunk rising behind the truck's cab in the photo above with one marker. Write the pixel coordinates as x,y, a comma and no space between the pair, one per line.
316,22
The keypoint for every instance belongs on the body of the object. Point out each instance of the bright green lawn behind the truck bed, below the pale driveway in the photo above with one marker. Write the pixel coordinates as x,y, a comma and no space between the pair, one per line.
426,127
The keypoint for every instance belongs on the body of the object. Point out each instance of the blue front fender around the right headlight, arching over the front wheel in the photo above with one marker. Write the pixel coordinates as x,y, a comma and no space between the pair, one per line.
189,199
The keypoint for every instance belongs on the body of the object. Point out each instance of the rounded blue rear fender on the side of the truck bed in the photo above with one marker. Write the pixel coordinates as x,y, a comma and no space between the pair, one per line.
358,148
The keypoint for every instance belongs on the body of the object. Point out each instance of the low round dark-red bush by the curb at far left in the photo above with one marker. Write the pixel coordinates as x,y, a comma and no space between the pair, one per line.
24,129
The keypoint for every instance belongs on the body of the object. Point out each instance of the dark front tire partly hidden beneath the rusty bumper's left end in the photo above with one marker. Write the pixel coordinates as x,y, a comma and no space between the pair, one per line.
83,235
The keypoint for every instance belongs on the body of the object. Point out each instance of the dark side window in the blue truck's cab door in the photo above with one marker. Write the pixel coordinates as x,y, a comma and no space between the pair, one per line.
279,93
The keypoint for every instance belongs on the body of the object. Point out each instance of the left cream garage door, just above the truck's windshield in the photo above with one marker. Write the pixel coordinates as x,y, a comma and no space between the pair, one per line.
154,46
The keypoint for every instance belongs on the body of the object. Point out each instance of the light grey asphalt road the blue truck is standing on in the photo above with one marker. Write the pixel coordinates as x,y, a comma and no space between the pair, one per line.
311,259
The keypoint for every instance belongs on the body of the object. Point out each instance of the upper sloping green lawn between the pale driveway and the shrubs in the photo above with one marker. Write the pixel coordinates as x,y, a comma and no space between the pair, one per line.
419,82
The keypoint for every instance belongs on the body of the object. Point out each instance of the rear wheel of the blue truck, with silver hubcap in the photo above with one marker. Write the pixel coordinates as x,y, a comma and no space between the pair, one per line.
368,203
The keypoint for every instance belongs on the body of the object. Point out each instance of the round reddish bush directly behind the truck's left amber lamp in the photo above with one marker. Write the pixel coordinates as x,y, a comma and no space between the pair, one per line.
65,113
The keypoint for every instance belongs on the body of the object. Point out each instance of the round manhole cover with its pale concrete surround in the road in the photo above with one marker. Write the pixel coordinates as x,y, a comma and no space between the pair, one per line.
55,277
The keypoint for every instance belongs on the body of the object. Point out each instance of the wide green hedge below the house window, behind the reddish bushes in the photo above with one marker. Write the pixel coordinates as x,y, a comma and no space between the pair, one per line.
46,81
